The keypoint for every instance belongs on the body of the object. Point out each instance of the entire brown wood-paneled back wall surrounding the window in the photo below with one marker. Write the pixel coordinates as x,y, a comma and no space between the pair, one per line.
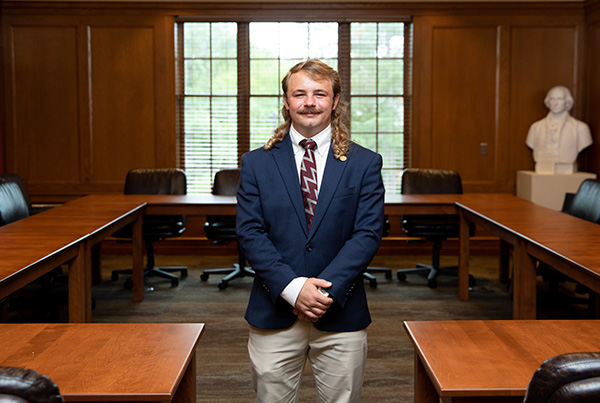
89,88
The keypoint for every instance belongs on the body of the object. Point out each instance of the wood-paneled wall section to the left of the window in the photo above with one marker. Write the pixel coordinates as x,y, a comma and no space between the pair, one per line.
88,97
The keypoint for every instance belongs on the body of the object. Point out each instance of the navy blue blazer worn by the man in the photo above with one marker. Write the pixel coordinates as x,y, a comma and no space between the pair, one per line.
345,233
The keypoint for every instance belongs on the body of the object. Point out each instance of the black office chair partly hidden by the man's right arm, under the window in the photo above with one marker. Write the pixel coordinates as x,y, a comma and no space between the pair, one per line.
221,229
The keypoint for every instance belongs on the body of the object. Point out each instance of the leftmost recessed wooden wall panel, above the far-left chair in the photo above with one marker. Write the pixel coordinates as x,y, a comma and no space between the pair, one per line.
43,138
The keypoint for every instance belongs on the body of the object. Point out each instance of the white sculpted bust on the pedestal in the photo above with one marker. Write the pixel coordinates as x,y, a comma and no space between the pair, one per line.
557,139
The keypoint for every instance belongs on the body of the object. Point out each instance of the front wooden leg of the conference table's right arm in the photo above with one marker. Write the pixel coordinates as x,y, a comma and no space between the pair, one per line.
524,283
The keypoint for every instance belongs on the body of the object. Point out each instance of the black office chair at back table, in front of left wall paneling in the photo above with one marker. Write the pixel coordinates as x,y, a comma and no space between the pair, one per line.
155,228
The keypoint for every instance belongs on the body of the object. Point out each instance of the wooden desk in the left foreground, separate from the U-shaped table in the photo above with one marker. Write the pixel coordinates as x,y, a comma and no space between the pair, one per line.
112,362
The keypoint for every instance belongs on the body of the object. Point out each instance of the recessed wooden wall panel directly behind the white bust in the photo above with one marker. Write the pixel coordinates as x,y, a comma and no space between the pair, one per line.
541,58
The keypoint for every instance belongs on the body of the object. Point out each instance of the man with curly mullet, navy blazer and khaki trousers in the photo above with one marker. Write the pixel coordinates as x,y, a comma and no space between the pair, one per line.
308,298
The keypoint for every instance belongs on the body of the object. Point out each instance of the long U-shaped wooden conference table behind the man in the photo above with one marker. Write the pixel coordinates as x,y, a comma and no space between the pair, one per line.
66,234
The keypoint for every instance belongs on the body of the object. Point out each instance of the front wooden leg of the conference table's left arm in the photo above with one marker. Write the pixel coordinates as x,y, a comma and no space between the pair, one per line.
79,311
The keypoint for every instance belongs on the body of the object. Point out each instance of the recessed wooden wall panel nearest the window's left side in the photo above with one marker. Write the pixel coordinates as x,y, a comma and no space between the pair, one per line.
123,96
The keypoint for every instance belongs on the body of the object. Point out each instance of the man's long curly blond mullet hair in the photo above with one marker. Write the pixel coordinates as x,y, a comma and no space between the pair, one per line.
340,134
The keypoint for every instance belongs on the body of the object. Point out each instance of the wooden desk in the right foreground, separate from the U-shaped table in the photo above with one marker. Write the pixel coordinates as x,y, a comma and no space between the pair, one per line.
490,361
